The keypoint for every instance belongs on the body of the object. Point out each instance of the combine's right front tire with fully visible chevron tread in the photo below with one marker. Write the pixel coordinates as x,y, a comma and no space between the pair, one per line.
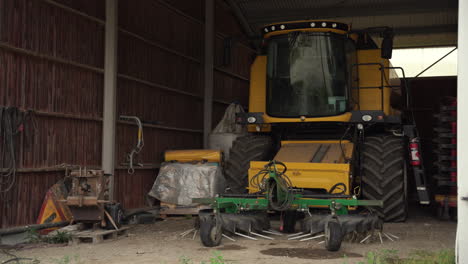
384,175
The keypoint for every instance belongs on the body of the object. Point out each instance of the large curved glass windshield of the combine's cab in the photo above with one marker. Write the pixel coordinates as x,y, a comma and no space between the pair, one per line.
307,74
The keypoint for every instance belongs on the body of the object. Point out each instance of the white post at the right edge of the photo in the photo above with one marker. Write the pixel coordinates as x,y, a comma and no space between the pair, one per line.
462,137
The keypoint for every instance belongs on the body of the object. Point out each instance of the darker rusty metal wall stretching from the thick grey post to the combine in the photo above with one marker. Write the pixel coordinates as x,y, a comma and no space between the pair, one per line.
162,46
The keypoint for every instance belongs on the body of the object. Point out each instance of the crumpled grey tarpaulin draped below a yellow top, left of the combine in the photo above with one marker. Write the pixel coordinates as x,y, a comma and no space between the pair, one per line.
179,183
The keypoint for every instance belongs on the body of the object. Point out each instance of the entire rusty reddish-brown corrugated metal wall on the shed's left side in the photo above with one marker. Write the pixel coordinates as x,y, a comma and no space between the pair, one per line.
51,57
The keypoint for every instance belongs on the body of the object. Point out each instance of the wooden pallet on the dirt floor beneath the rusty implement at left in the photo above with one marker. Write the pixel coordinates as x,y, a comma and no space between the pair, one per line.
97,236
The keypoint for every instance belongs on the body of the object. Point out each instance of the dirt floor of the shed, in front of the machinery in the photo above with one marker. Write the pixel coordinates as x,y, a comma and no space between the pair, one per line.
161,243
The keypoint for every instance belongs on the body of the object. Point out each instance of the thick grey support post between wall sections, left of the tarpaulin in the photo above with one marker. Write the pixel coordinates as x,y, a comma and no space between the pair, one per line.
110,94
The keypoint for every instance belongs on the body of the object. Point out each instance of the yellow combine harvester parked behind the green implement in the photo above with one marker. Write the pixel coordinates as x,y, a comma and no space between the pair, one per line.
326,101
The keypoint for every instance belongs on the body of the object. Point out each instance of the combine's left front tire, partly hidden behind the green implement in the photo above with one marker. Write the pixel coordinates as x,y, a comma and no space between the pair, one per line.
245,149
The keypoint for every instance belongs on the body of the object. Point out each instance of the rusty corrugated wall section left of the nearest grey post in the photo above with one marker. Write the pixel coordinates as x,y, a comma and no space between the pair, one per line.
51,63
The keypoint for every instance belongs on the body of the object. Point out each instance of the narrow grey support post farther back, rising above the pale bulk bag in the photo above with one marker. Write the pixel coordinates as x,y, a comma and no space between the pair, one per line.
209,58
